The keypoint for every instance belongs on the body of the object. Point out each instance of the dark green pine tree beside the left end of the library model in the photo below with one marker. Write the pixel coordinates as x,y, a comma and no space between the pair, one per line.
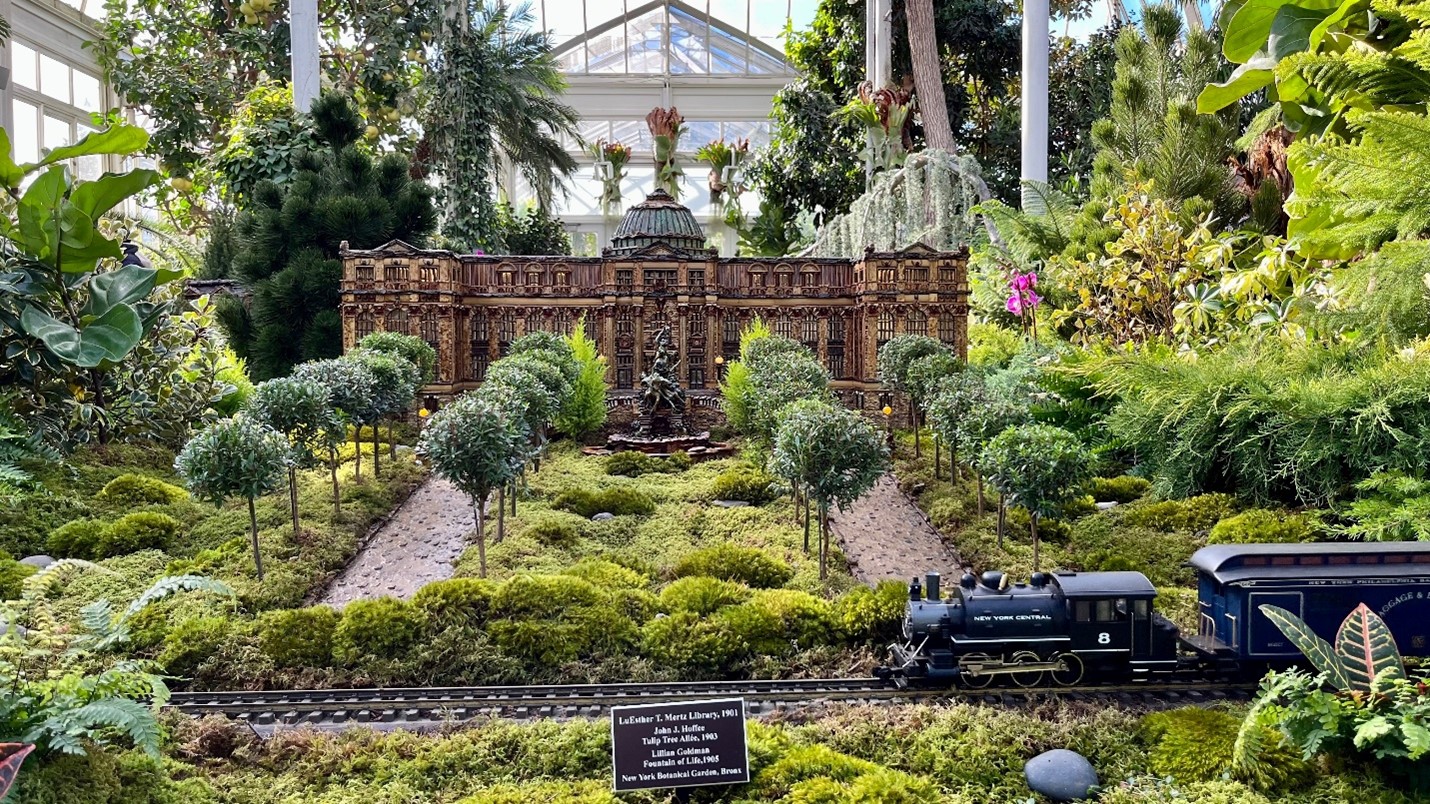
290,237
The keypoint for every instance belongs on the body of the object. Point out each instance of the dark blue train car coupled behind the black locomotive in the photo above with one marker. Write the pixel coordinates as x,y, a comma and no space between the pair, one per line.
1321,583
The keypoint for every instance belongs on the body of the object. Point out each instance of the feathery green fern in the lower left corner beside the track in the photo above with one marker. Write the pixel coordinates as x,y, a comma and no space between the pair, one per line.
64,686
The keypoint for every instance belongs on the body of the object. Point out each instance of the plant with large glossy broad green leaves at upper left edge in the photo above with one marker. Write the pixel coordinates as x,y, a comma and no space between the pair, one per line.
69,310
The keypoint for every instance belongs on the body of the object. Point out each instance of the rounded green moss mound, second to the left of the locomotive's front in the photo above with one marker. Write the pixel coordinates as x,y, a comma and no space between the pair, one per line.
777,622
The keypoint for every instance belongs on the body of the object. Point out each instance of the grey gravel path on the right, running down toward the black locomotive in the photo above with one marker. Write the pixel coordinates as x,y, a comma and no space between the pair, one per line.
886,536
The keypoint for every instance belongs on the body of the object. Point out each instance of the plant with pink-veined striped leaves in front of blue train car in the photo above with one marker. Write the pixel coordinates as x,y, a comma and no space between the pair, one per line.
1361,700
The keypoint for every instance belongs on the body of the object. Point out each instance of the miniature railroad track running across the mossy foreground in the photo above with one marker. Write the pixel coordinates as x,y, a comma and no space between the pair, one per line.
433,707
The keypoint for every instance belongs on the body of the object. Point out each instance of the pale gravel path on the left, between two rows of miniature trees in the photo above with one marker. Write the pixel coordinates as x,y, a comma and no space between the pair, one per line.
414,549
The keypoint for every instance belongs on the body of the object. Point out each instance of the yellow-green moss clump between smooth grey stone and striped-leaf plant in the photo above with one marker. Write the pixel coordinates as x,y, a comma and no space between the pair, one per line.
1192,743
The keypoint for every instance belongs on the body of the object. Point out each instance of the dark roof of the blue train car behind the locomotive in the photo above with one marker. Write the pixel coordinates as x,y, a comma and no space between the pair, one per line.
1312,560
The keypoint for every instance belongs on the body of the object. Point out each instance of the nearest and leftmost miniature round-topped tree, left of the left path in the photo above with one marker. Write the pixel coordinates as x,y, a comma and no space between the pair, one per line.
235,457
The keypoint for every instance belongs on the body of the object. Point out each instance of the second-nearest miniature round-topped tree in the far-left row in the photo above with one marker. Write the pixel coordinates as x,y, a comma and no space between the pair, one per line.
302,413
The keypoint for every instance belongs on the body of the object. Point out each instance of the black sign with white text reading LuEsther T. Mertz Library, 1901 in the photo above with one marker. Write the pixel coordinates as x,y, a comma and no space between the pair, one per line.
686,745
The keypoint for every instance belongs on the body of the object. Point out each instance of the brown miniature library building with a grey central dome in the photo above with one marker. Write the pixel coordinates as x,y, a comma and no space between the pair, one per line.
657,274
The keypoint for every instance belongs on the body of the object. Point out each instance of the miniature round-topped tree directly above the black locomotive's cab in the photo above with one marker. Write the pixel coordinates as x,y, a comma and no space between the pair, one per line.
1039,469
